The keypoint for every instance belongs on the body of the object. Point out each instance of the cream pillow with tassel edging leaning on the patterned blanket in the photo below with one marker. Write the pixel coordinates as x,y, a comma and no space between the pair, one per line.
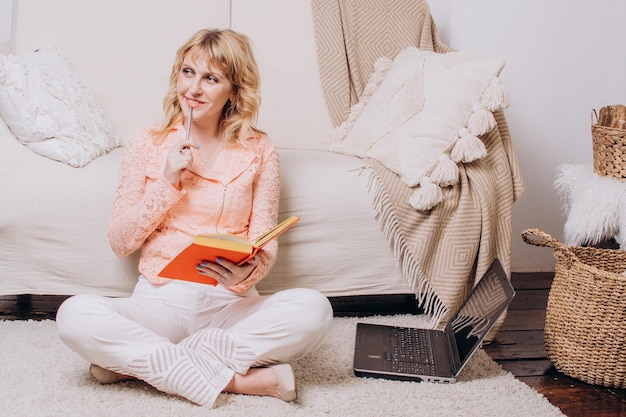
421,114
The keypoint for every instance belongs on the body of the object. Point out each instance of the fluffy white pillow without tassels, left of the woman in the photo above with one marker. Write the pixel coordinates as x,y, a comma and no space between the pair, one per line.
50,110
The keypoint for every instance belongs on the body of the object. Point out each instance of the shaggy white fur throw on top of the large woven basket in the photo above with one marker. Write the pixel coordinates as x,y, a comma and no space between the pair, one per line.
595,206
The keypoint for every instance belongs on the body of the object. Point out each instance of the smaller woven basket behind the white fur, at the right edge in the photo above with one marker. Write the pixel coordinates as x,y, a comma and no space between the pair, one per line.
609,149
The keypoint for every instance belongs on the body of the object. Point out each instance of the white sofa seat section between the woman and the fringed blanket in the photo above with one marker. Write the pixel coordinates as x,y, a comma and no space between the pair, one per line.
337,247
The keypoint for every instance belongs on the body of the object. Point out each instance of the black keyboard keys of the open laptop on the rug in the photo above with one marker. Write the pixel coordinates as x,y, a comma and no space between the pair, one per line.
409,351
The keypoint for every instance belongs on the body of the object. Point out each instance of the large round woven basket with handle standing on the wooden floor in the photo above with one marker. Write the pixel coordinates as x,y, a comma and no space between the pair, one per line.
585,330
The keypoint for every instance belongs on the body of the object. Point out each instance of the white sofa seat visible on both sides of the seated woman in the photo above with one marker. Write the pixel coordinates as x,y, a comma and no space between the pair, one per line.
54,240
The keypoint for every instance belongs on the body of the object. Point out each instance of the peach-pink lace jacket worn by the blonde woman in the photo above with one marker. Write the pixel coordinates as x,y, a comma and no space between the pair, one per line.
239,194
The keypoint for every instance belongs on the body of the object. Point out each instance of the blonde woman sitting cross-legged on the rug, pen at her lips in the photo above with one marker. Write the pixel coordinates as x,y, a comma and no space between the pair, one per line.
189,339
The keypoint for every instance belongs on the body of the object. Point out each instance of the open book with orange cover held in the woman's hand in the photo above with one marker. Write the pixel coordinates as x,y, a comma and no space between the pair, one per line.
208,247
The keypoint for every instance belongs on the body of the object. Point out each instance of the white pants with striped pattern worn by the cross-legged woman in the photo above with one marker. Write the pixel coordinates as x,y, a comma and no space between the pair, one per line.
171,334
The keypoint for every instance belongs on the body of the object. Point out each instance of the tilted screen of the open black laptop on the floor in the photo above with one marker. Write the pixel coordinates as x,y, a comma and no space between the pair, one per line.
487,301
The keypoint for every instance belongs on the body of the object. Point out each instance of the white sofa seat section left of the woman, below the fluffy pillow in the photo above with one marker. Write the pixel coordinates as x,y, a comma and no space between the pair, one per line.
53,225
